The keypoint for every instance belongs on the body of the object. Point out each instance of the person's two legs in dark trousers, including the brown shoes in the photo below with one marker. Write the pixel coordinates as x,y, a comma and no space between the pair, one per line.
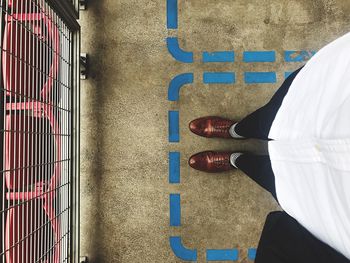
256,125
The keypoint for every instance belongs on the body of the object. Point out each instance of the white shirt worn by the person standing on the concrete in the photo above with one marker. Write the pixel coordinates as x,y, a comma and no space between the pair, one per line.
310,154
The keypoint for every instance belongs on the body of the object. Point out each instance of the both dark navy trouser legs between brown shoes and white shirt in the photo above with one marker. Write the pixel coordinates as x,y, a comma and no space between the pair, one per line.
257,125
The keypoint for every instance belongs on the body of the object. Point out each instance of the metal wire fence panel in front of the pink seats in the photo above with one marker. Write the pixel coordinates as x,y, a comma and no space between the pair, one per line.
36,133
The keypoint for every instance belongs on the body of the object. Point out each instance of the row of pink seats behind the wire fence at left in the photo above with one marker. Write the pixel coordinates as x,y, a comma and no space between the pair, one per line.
30,60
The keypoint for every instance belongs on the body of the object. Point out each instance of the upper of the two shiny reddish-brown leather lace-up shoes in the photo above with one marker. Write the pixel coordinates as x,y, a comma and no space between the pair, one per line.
212,127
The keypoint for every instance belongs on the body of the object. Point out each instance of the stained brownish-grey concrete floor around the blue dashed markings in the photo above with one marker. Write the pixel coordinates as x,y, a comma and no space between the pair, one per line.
124,123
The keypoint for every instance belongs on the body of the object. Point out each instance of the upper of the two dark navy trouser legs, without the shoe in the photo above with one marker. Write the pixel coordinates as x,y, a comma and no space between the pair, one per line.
257,124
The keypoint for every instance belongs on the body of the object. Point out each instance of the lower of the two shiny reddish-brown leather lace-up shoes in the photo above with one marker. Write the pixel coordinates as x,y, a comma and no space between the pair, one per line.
211,162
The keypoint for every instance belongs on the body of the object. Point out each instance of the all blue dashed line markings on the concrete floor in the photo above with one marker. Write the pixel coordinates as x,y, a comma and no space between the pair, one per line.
208,77
